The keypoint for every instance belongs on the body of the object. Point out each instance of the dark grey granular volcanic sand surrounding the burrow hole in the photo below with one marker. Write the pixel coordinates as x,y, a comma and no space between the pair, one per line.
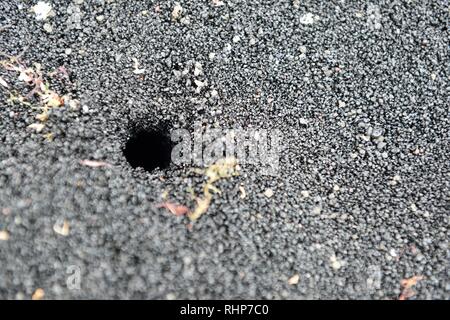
361,200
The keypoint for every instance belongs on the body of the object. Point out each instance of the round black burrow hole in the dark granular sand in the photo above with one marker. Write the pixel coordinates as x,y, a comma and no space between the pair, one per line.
149,149
